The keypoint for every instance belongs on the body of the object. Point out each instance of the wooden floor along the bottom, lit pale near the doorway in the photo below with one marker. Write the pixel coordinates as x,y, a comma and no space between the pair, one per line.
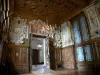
61,72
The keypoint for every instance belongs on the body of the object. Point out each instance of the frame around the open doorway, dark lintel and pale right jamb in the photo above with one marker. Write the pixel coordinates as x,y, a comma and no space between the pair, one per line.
46,50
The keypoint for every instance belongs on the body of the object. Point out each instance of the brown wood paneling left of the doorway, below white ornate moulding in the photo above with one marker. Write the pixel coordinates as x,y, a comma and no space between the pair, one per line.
19,57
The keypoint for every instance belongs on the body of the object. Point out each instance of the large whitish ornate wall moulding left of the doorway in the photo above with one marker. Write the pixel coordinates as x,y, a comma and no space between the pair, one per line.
18,30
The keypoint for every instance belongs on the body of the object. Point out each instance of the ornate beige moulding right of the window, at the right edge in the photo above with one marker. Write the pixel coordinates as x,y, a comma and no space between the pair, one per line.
93,20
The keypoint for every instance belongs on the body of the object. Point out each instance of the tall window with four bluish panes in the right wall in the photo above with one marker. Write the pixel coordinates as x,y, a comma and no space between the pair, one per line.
81,36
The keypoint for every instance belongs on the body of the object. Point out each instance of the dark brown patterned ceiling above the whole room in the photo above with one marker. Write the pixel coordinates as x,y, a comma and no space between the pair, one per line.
53,9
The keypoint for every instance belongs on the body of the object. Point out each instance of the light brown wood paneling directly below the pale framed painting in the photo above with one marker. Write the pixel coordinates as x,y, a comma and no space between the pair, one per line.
68,58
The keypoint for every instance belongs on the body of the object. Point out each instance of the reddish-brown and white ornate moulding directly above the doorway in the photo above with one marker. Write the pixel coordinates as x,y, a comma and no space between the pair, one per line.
41,28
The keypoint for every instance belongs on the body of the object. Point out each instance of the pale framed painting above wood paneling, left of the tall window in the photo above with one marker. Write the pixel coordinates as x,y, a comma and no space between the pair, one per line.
66,34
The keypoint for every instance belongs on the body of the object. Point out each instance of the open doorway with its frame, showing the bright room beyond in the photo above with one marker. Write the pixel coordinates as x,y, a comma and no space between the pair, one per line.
39,52
